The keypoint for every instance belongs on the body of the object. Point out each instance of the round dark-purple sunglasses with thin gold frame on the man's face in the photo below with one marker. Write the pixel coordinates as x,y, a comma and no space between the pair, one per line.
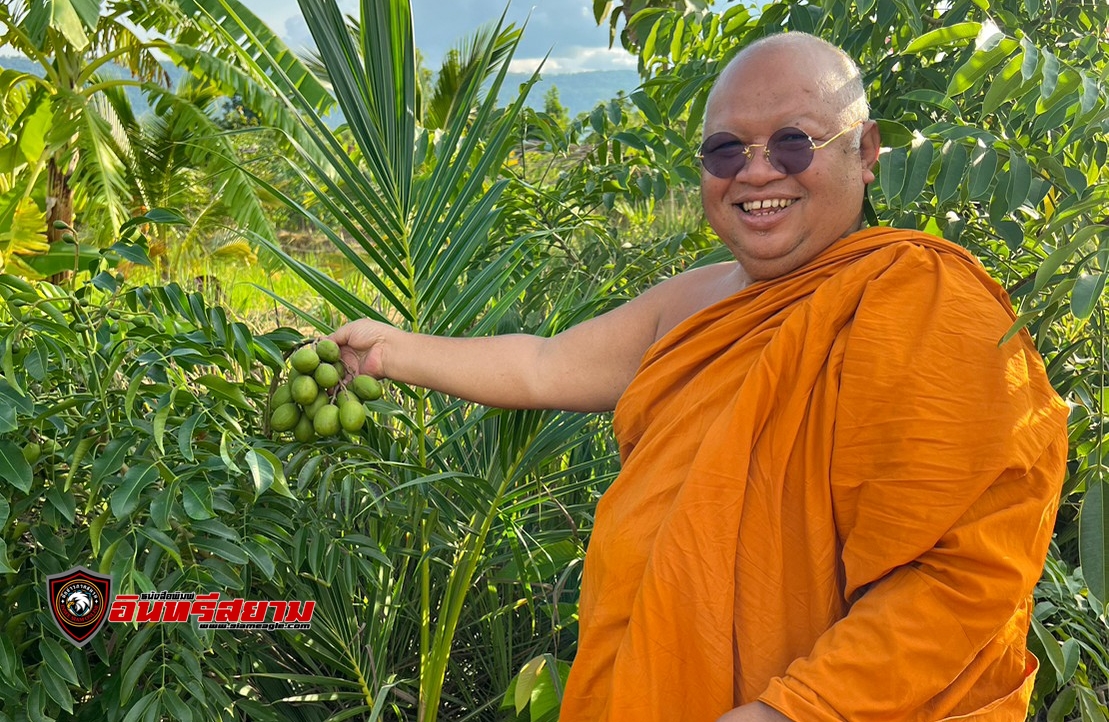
789,151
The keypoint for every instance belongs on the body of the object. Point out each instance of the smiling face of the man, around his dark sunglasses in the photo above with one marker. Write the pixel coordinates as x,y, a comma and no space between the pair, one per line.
771,89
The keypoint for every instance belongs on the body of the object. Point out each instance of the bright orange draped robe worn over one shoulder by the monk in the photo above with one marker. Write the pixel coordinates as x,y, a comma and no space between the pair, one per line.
837,496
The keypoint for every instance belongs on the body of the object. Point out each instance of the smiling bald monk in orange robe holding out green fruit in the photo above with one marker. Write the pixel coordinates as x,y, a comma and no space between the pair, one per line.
838,487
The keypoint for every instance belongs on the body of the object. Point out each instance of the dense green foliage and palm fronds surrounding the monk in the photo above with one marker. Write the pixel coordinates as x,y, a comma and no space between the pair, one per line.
443,545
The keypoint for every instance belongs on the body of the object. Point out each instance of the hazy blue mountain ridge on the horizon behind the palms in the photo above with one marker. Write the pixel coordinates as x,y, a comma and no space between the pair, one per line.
578,93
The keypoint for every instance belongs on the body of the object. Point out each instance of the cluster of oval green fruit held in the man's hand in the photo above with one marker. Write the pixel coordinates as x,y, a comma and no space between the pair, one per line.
314,402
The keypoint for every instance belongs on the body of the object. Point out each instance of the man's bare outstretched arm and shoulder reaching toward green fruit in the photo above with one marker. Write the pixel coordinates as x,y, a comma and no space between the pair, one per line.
585,369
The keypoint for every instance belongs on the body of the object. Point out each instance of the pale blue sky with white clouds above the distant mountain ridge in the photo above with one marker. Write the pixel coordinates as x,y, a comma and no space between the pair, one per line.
565,28
